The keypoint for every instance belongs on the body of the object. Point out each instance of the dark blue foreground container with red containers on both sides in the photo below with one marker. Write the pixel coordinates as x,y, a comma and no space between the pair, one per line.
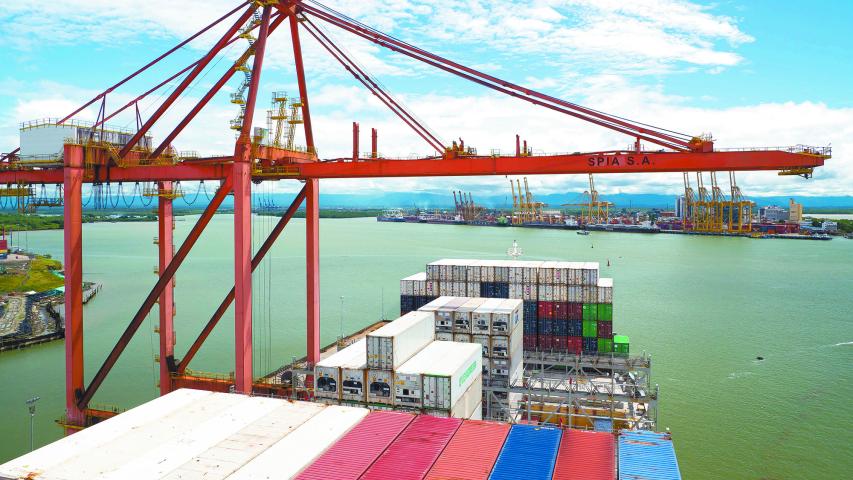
529,453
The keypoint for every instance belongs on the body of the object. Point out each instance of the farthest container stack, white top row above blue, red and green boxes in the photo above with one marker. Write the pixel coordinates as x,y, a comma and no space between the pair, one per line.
567,308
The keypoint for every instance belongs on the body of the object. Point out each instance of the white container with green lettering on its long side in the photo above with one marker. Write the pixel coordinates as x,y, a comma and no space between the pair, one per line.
449,369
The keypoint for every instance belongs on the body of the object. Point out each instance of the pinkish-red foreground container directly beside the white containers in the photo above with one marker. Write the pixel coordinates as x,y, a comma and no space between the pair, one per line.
356,451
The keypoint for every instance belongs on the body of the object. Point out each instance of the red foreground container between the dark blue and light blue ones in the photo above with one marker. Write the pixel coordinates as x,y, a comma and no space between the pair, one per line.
585,455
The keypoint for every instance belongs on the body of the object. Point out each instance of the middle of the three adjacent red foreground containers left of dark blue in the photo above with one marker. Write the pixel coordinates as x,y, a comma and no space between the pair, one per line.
415,450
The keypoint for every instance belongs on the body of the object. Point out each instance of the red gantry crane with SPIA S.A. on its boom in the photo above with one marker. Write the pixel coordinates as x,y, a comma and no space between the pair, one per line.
98,158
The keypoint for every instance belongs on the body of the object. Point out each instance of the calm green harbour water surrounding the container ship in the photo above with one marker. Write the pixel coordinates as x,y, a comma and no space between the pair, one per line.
704,308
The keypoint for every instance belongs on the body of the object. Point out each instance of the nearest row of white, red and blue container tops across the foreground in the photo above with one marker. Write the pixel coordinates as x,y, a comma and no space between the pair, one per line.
195,434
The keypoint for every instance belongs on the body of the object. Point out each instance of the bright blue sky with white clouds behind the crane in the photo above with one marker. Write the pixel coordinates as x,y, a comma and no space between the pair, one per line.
751,73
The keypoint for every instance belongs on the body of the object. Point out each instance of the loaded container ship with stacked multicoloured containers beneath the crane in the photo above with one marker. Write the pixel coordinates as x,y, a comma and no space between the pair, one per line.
519,358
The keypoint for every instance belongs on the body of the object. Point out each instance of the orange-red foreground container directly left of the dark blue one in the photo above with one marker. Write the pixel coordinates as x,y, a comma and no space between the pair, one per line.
471,453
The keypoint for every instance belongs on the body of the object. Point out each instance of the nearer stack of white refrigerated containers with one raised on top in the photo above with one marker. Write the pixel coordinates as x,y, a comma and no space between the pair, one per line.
400,366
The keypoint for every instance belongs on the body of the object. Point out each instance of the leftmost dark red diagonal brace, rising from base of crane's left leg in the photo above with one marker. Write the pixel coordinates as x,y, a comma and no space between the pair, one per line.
85,396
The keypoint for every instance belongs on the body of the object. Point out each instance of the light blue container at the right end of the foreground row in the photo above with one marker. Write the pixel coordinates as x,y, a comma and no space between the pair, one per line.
647,455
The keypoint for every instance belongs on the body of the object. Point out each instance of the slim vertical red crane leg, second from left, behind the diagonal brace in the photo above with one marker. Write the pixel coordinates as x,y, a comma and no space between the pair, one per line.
165,250
